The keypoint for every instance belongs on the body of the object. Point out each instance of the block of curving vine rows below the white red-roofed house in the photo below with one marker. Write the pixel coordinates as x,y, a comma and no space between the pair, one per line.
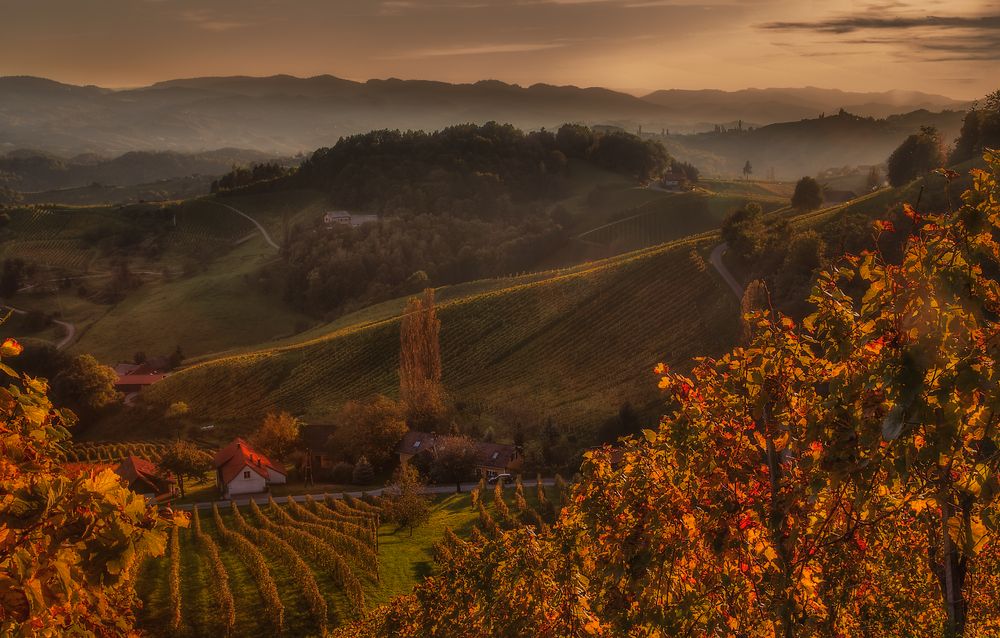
294,569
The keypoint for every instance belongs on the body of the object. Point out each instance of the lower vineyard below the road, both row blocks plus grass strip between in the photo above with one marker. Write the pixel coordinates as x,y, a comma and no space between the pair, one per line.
301,569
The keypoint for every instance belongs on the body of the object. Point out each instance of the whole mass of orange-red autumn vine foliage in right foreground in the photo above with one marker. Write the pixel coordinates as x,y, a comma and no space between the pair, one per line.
790,481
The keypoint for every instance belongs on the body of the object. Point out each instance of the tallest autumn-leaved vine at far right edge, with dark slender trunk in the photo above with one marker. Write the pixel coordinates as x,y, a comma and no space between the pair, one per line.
925,340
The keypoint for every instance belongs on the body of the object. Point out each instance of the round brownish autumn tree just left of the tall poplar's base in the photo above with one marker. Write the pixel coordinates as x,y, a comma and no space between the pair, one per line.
371,429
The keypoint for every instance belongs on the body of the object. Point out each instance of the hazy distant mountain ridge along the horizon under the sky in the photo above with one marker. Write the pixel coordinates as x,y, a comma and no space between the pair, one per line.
286,114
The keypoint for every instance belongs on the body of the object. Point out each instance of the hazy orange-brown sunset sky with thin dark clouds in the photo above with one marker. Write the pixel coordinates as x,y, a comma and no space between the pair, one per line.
950,48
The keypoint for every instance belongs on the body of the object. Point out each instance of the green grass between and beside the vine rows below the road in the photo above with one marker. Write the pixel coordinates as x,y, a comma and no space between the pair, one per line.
403,559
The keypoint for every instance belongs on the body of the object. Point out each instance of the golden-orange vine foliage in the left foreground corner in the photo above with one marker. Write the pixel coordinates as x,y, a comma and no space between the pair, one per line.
70,543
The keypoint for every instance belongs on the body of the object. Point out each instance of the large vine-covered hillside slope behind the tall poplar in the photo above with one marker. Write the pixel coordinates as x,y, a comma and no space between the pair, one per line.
566,342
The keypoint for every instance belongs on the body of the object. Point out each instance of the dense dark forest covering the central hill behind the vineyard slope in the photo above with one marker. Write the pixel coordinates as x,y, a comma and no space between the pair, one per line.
459,204
